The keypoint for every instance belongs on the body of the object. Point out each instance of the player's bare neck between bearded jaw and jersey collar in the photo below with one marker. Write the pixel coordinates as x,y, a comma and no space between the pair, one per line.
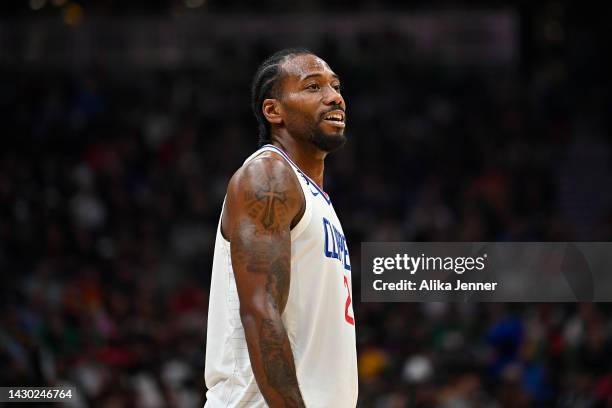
305,155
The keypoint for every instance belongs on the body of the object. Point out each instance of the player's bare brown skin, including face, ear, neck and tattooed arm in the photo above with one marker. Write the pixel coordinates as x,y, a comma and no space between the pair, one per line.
264,201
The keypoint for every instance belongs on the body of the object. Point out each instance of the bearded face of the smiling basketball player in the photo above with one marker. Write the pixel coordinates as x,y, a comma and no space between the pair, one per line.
312,107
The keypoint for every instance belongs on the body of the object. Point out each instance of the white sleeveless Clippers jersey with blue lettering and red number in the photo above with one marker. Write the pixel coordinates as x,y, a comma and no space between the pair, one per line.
318,316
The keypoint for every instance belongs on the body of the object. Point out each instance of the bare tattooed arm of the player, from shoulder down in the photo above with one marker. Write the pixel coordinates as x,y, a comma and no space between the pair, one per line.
263,200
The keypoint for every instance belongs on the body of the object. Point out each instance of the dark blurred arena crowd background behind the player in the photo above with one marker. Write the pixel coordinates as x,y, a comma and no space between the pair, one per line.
468,121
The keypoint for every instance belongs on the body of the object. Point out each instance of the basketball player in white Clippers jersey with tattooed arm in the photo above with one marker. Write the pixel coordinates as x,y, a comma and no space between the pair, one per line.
280,323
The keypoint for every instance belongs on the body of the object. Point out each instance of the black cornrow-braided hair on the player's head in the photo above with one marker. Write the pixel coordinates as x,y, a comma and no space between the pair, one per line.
264,86
